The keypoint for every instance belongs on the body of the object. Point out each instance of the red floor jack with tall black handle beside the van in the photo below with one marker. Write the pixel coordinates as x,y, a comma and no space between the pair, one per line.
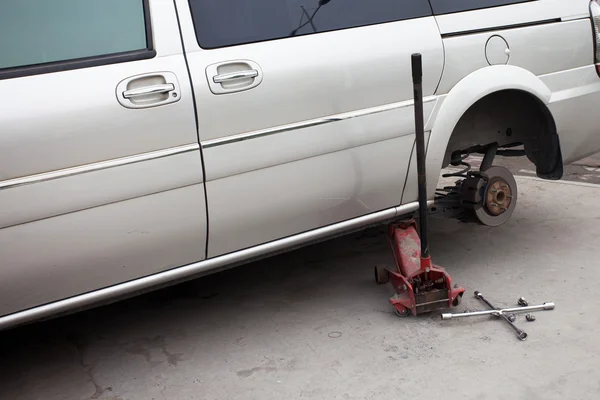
420,286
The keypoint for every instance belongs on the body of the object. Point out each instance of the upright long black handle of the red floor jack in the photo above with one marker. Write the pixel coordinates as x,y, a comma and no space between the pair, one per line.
417,73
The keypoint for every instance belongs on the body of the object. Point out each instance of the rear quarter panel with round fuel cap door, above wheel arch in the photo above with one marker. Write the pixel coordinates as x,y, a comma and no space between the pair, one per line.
552,39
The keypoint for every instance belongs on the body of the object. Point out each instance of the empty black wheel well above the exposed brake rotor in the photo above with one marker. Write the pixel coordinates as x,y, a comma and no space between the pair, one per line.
510,118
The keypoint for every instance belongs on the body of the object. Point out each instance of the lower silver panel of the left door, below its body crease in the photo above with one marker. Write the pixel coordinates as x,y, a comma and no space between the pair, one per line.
60,257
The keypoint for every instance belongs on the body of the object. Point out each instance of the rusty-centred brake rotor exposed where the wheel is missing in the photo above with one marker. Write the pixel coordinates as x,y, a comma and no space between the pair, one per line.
499,197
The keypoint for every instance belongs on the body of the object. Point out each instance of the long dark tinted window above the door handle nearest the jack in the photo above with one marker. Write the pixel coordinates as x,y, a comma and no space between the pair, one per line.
228,22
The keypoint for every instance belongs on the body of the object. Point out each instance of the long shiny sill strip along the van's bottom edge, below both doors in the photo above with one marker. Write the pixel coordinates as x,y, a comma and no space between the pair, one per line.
195,270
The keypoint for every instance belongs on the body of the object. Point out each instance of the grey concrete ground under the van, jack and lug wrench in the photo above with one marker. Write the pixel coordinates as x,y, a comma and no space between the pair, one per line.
312,324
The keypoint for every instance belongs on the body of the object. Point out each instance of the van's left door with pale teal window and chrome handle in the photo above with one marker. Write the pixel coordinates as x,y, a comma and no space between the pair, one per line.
100,169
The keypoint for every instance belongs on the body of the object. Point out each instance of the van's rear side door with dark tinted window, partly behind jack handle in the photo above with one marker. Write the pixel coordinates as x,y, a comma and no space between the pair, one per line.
304,109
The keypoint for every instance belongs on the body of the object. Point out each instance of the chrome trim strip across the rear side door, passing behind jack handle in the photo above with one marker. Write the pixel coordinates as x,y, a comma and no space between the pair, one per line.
313,122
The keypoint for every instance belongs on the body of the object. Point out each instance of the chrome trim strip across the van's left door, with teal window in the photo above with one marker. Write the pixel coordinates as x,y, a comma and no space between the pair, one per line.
117,162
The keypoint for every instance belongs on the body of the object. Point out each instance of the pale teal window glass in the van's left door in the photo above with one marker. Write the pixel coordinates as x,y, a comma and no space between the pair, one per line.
43,31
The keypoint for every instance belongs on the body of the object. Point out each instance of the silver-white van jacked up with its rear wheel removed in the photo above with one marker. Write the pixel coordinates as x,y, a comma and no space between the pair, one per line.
144,142
